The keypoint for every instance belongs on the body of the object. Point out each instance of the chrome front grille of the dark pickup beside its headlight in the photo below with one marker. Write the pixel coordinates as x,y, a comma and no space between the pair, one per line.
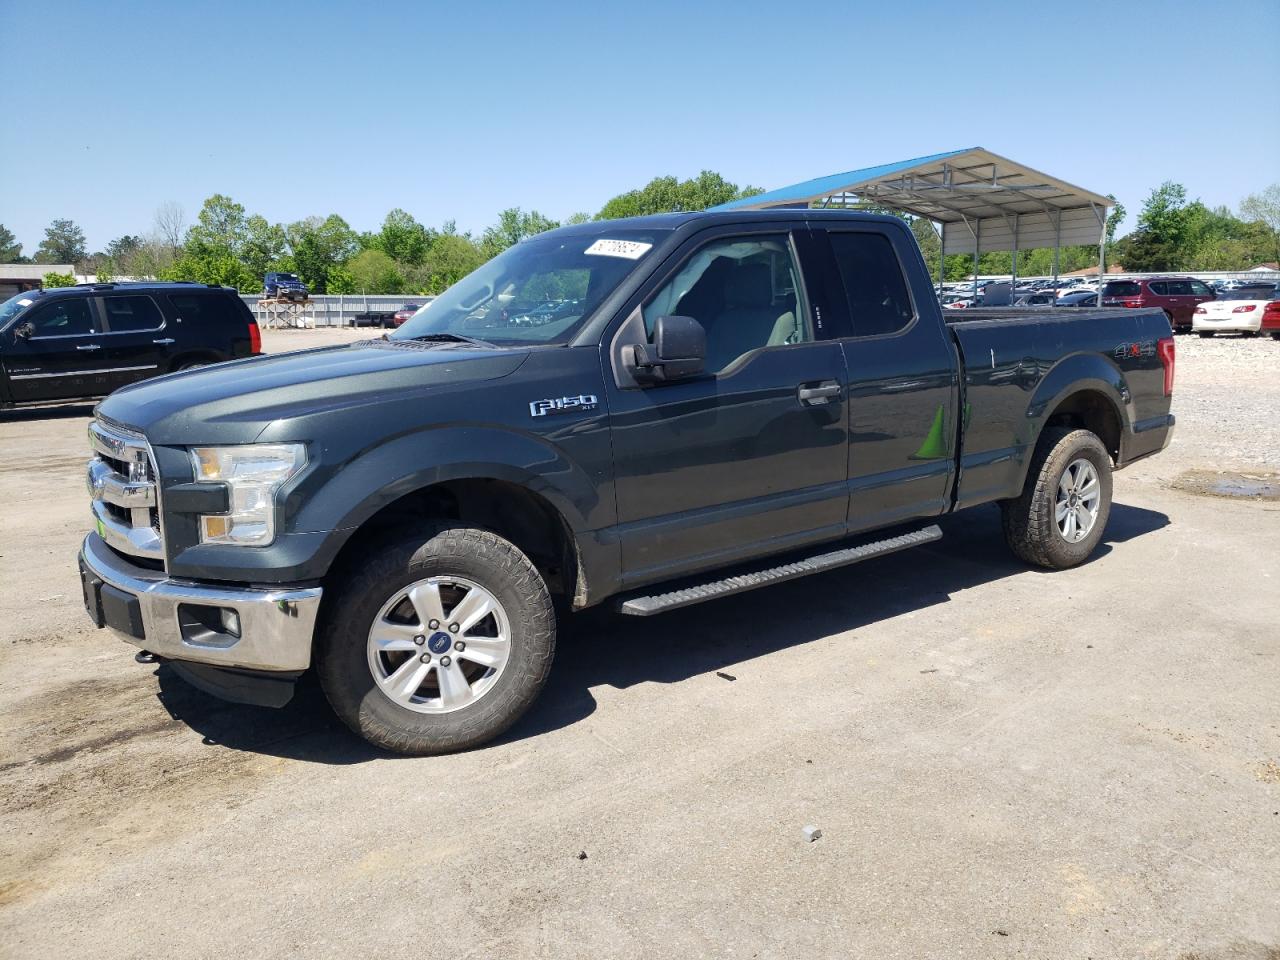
124,490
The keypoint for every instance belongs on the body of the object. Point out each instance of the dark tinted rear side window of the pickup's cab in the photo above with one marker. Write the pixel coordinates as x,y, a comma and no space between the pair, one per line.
879,303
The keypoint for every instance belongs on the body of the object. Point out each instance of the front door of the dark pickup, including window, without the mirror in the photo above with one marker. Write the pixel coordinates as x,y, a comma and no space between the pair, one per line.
749,458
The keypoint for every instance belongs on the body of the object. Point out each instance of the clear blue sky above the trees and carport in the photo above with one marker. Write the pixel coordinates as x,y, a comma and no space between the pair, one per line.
456,111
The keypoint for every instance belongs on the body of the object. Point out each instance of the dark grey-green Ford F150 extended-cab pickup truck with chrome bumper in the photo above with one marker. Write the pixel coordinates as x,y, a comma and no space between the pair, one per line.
656,412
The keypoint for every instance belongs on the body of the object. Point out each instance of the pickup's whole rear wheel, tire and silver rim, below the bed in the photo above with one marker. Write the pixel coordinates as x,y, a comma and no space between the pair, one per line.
1063,511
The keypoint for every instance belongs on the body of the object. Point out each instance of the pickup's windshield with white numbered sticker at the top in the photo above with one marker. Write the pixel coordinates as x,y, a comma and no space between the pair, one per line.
538,291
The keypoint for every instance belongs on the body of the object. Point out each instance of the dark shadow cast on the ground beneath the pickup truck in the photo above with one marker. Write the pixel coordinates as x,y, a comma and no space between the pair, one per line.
601,647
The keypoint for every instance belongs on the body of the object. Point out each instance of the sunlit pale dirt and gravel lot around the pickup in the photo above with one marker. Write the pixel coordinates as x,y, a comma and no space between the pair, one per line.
1003,762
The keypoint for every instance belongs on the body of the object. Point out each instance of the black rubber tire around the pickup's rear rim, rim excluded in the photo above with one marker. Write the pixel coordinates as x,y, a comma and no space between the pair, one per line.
1030,522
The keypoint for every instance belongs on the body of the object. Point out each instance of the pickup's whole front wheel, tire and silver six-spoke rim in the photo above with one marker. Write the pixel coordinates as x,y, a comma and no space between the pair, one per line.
440,643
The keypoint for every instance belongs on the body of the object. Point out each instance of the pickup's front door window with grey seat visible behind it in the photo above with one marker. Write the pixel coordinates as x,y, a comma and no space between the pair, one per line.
744,291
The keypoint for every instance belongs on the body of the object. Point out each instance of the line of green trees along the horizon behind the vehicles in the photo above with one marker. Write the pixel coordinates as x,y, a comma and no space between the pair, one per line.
228,246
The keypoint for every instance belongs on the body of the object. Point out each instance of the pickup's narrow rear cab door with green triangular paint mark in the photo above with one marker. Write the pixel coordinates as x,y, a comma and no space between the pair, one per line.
903,383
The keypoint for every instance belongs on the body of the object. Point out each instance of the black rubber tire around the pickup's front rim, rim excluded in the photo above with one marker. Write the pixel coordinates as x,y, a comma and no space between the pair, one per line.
358,598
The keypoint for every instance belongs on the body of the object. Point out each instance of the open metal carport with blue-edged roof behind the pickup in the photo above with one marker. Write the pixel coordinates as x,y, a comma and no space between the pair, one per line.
981,202
